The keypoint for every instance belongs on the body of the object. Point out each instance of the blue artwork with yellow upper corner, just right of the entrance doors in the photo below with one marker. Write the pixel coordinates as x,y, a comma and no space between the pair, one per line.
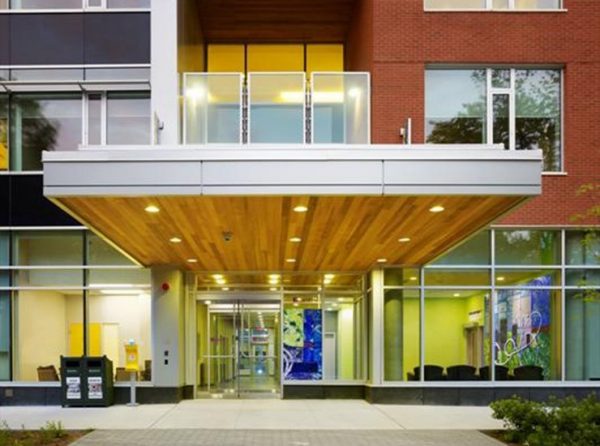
302,344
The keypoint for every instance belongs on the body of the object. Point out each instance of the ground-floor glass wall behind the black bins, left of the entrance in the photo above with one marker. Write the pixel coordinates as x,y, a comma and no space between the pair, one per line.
80,294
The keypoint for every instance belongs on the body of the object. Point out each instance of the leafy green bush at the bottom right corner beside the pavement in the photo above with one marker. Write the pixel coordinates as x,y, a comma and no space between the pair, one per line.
561,422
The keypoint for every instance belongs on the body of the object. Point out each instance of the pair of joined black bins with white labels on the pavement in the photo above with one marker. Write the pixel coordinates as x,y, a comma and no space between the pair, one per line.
87,381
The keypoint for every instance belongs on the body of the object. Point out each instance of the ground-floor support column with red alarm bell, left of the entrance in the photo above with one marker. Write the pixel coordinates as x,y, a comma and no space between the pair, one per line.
168,326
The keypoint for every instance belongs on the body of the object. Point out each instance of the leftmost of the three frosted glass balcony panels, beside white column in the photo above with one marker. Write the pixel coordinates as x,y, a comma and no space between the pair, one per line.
213,108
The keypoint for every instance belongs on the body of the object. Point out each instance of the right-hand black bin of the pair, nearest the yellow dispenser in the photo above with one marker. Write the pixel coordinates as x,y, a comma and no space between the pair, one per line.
99,381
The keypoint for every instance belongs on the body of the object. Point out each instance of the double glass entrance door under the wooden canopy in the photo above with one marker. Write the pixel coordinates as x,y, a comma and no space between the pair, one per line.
243,353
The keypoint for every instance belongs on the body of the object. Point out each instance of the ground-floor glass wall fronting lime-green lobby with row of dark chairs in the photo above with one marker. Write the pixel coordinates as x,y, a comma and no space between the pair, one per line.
499,298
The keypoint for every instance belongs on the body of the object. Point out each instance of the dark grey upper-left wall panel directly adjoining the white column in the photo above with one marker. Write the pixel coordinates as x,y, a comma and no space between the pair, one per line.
117,38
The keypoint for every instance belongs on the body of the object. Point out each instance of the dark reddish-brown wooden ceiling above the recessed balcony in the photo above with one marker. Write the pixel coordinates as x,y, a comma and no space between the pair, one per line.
275,20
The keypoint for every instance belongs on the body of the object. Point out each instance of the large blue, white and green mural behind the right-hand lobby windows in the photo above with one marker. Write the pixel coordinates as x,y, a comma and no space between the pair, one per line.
523,322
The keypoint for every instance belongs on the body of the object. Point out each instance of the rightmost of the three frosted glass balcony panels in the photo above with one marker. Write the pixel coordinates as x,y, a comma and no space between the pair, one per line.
340,108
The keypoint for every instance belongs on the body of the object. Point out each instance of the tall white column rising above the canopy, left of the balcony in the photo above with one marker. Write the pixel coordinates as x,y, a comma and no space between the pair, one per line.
165,77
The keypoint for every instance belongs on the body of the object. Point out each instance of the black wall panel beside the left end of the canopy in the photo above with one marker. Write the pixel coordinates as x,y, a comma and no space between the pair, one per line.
29,207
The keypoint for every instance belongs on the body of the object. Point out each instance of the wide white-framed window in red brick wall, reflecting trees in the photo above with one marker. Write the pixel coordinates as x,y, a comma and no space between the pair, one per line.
519,108
